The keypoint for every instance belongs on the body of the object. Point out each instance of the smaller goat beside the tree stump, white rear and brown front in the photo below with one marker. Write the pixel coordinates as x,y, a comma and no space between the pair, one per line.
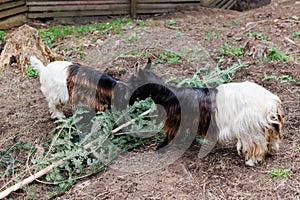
64,82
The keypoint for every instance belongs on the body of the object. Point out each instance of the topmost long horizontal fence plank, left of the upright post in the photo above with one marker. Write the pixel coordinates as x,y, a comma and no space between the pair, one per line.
53,3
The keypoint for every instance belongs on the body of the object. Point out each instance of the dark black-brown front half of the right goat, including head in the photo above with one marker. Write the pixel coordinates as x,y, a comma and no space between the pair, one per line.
175,100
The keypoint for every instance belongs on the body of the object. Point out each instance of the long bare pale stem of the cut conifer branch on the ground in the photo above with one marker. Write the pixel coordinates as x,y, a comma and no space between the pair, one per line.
44,171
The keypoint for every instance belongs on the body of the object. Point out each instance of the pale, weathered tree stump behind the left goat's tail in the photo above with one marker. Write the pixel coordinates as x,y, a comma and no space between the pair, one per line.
22,43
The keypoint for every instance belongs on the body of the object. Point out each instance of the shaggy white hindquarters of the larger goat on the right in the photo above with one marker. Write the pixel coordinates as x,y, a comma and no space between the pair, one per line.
246,114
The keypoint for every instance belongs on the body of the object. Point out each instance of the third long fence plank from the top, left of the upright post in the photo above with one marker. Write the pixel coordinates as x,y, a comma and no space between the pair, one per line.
77,13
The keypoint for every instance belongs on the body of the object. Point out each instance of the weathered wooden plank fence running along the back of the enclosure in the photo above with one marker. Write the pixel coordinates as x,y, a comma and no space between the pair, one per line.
15,12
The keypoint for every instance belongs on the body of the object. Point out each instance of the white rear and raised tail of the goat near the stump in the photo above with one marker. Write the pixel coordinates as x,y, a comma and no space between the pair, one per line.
53,84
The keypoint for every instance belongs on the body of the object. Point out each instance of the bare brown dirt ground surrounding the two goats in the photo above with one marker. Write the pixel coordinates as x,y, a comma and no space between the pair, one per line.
220,175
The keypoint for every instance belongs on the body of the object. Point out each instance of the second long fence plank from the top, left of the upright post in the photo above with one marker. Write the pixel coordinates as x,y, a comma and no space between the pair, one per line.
77,8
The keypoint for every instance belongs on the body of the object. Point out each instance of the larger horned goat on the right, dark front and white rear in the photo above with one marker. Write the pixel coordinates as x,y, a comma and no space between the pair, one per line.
243,113
